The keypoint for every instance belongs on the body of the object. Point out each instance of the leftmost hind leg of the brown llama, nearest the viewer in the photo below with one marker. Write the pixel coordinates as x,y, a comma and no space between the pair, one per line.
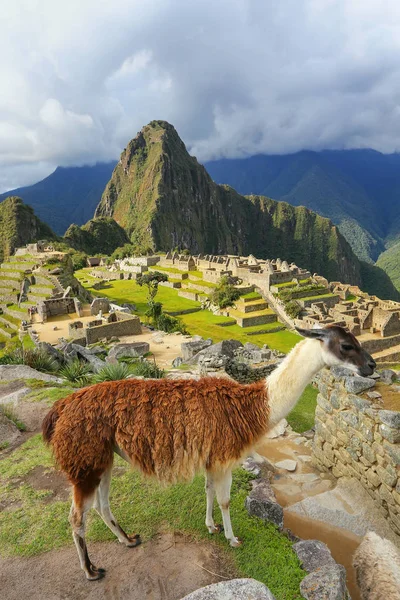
82,502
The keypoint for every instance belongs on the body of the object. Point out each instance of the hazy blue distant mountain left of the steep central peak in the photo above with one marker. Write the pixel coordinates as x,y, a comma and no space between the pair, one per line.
69,195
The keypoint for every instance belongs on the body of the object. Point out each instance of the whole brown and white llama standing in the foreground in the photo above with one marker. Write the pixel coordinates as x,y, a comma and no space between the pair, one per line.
171,429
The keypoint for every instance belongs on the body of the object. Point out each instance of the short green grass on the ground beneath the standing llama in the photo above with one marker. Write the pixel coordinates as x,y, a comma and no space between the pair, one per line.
142,505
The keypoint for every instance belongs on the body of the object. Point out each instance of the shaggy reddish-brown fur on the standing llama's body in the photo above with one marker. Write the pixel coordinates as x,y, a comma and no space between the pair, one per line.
169,429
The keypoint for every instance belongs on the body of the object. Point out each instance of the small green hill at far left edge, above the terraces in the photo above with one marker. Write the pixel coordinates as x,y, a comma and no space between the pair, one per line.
19,226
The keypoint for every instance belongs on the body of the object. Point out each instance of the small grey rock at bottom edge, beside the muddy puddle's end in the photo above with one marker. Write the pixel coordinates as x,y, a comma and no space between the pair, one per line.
326,583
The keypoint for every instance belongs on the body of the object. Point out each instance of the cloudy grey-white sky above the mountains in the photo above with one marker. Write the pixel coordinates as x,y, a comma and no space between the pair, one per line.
235,77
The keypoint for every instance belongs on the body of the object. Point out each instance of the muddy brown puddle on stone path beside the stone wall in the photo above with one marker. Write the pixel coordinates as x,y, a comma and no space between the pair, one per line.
305,481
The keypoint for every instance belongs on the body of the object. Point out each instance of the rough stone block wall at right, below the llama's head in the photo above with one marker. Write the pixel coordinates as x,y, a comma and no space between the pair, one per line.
356,437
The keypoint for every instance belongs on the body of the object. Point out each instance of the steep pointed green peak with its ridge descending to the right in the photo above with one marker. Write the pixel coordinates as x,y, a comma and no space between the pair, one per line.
164,198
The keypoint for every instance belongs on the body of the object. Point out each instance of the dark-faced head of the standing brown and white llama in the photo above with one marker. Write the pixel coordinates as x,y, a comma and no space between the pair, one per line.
340,347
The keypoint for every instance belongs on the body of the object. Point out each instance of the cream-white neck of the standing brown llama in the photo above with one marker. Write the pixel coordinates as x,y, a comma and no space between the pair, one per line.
286,384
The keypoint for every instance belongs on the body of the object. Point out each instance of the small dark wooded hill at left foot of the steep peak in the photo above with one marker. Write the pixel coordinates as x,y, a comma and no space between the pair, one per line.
97,236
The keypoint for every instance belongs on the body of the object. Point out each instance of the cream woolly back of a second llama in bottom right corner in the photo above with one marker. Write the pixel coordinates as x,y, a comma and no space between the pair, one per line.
377,565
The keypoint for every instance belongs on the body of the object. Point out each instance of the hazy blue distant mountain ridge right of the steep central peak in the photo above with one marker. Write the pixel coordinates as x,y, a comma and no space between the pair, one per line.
359,190
